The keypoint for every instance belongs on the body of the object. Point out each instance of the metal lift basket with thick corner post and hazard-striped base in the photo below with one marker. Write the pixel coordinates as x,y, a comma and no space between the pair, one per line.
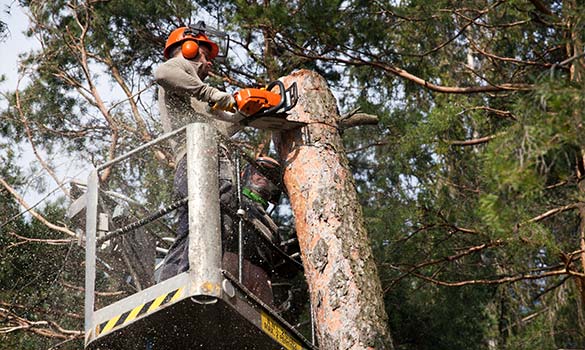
205,307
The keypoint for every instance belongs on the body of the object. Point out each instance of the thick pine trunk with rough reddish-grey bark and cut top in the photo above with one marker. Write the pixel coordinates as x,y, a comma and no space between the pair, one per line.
340,269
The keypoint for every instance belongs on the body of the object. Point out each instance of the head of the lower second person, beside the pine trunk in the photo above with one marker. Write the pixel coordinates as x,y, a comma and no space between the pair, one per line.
256,181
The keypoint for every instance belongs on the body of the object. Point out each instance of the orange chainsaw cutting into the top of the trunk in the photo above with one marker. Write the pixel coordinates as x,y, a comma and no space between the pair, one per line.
266,109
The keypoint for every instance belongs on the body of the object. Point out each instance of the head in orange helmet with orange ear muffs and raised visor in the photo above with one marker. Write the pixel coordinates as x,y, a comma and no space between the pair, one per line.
193,45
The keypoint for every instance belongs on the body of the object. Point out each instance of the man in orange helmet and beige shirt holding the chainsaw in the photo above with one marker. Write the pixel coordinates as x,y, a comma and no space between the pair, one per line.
184,98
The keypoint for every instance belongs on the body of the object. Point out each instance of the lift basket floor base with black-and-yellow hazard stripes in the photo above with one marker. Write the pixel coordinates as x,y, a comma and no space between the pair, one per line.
169,316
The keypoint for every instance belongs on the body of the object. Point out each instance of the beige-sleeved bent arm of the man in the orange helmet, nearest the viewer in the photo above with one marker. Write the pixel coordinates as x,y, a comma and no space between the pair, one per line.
179,76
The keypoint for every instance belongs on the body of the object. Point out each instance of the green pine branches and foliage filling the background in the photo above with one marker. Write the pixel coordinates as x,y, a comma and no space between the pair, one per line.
471,183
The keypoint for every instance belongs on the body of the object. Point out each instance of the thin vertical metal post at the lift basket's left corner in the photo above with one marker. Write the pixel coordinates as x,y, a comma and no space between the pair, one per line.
90,248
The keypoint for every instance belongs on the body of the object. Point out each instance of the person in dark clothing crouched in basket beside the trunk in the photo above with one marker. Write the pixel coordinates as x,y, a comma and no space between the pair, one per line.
257,192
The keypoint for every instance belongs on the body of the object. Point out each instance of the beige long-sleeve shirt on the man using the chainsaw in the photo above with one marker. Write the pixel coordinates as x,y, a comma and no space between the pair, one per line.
183,99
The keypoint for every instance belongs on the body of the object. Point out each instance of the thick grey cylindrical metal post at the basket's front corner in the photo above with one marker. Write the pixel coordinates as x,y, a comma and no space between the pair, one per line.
204,211
